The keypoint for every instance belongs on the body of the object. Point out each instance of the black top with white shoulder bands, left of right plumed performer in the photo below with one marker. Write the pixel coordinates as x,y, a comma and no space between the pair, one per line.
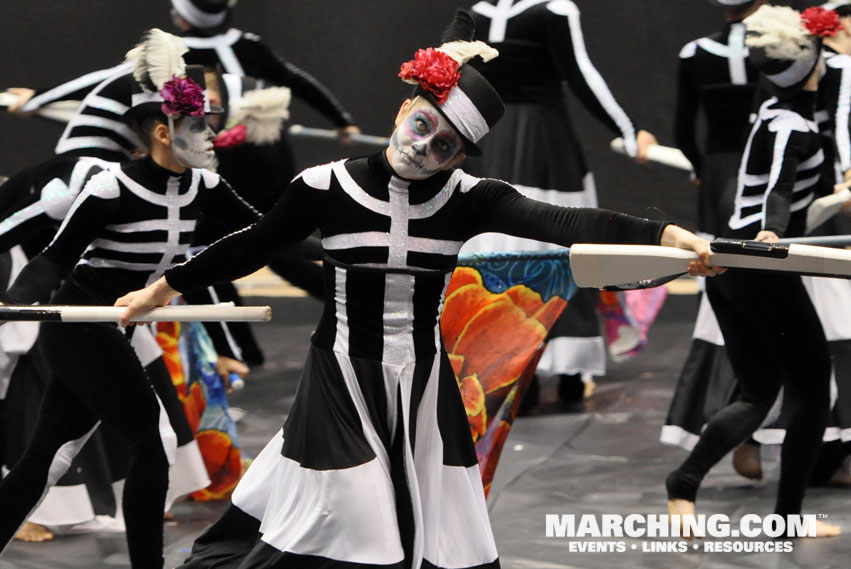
714,75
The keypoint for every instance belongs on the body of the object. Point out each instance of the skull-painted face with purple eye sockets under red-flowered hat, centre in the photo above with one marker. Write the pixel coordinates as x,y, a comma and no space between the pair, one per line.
423,143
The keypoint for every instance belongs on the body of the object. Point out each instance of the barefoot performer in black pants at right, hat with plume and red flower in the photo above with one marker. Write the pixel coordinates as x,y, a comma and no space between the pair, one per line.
771,330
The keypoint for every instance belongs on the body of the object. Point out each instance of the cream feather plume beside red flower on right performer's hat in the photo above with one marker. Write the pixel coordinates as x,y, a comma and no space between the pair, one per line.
781,33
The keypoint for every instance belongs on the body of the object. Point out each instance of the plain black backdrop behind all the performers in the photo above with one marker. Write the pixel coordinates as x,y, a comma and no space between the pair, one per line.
355,47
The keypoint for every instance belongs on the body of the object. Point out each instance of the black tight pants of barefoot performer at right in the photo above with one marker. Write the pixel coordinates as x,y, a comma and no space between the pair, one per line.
773,337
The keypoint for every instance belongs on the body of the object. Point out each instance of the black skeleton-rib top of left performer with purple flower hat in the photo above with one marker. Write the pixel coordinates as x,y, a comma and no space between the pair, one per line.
130,223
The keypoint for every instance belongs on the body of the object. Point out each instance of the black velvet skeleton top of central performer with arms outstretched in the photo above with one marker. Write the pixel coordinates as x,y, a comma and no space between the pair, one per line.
370,218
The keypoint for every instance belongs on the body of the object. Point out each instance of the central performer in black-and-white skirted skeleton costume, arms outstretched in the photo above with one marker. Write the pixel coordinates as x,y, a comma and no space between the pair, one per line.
375,466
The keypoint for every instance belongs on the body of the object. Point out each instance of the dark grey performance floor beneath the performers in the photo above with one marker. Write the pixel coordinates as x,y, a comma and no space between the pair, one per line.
599,458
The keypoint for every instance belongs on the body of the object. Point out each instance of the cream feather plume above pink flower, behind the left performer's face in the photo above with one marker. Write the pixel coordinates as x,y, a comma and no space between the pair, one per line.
262,111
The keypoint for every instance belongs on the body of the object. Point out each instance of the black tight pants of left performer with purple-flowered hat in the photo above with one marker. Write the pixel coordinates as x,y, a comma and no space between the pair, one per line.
96,376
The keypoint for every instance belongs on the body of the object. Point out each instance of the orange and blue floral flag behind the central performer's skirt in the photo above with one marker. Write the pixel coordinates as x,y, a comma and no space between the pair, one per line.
497,312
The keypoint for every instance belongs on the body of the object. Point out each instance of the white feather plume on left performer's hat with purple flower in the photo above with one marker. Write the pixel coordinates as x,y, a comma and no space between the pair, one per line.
157,59
